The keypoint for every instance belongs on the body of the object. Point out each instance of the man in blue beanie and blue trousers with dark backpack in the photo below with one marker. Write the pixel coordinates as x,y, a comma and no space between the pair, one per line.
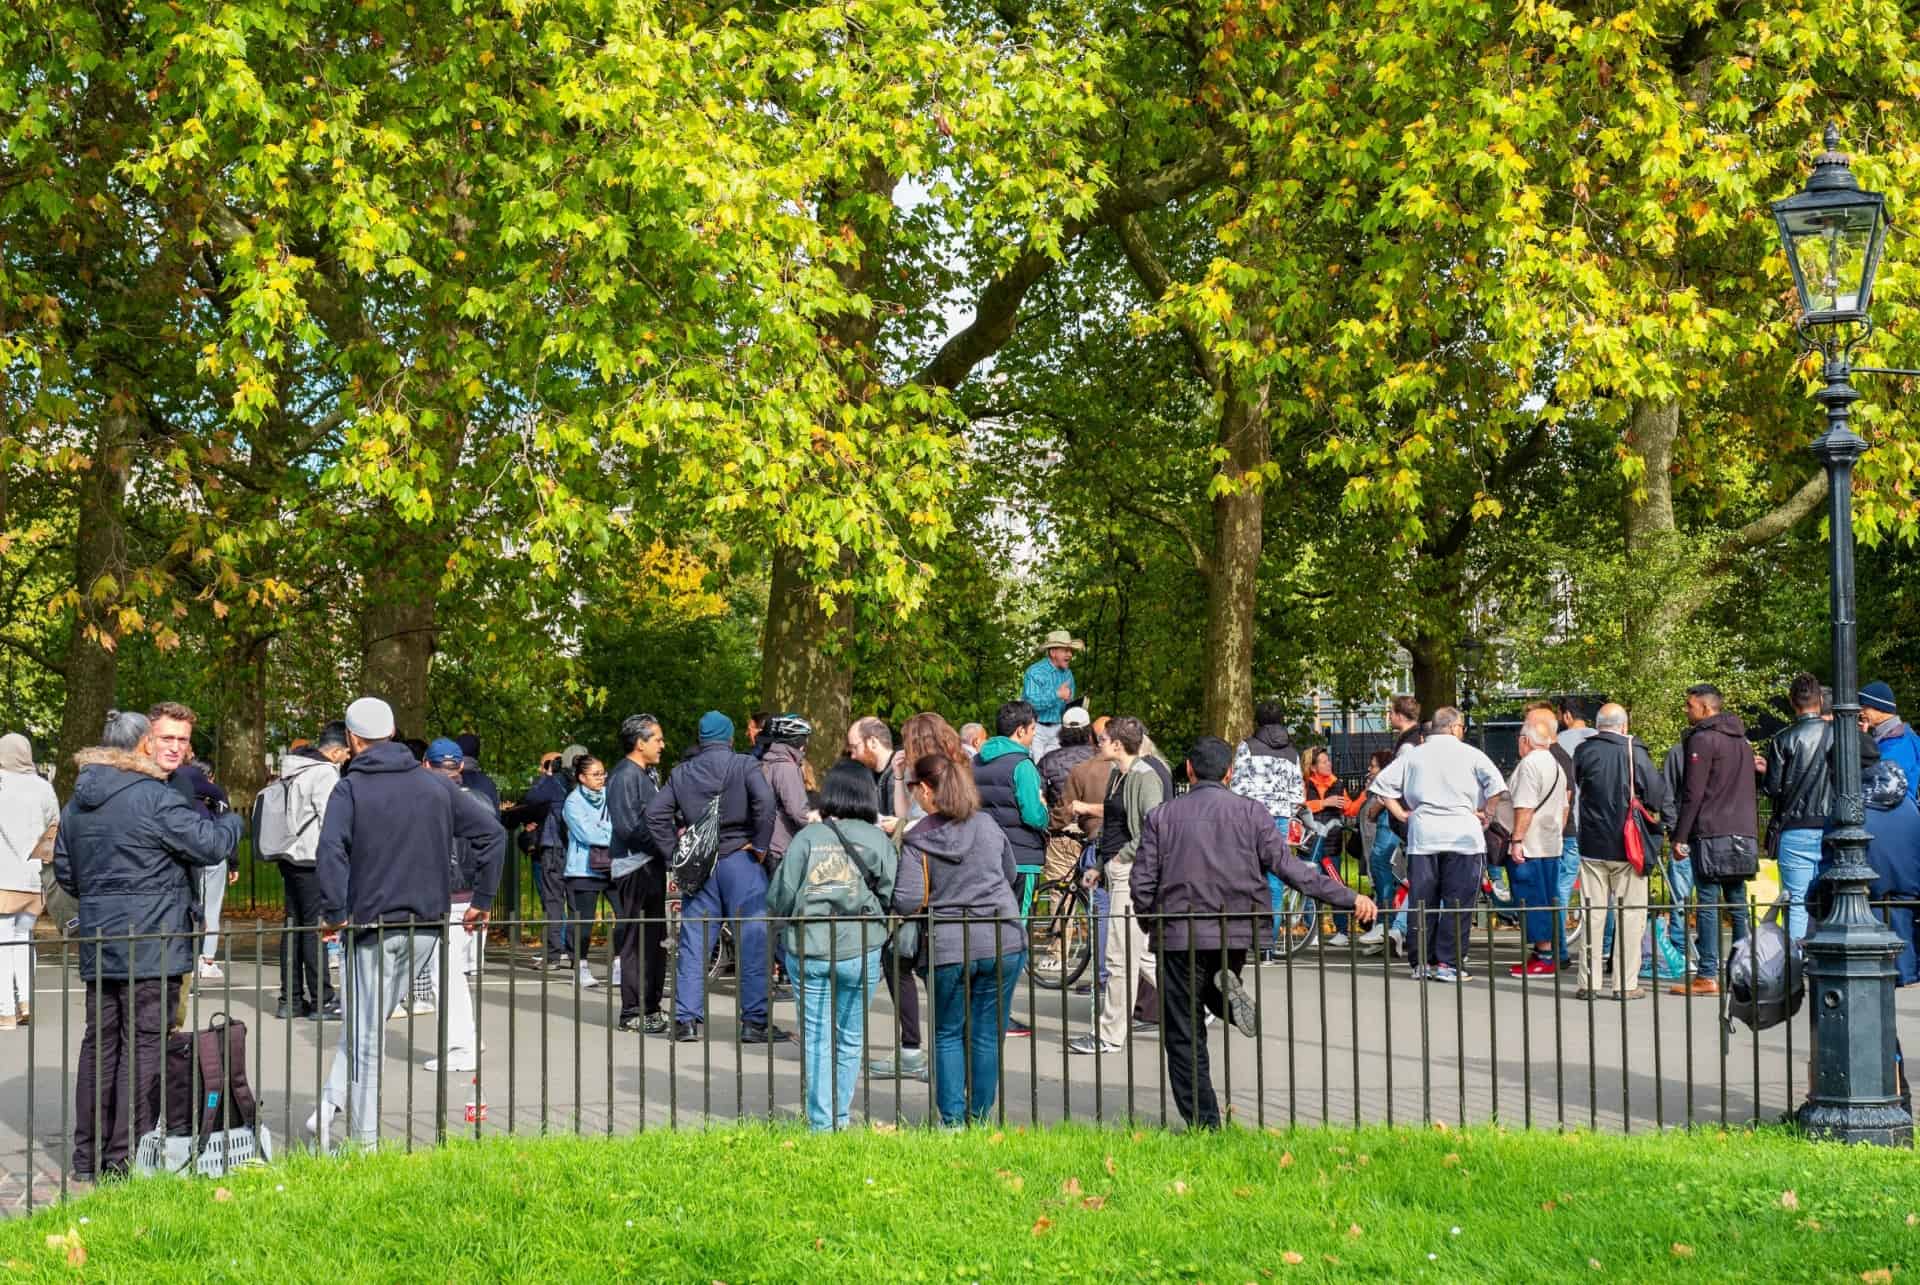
736,890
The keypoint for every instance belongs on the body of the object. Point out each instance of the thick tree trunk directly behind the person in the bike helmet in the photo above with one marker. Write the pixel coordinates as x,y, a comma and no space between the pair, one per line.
804,658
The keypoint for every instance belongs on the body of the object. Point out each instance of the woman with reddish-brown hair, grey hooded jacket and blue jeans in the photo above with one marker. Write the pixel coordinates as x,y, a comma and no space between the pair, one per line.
959,869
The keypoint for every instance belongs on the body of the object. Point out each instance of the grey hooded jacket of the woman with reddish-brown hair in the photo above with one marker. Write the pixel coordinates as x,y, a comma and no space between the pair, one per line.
965,871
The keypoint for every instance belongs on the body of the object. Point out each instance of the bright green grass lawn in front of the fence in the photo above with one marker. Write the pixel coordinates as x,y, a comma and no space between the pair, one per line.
1072,1203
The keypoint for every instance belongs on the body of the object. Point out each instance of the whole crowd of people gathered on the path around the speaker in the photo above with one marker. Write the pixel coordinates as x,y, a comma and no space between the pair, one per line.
903,865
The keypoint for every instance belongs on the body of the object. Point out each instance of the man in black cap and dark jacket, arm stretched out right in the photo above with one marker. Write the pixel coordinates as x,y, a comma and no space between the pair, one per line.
1201,885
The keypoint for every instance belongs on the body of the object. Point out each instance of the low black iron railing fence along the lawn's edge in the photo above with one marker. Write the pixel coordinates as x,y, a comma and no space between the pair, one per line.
1282,1025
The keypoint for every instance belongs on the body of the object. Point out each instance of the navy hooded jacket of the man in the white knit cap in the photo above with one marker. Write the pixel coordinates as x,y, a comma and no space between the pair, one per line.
387,844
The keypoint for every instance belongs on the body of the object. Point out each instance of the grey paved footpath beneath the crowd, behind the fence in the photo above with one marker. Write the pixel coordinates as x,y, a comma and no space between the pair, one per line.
1343,1040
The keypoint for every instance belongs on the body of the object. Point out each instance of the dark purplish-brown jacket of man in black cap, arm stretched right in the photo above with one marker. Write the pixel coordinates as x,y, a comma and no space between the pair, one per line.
1209,854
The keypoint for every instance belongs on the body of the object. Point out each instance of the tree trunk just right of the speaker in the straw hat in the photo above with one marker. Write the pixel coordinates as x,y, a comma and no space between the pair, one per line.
1234,570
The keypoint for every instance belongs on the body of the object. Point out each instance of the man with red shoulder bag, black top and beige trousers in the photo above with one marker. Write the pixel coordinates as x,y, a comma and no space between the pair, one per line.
1618,788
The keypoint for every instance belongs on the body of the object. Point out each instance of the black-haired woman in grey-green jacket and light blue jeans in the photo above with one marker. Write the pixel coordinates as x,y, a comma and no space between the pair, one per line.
832,888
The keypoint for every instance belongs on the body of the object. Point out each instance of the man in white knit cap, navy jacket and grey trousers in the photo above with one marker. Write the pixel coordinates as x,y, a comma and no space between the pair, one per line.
387,877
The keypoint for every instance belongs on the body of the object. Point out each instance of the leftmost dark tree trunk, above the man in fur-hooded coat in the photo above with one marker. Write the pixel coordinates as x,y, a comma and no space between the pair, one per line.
99,562
